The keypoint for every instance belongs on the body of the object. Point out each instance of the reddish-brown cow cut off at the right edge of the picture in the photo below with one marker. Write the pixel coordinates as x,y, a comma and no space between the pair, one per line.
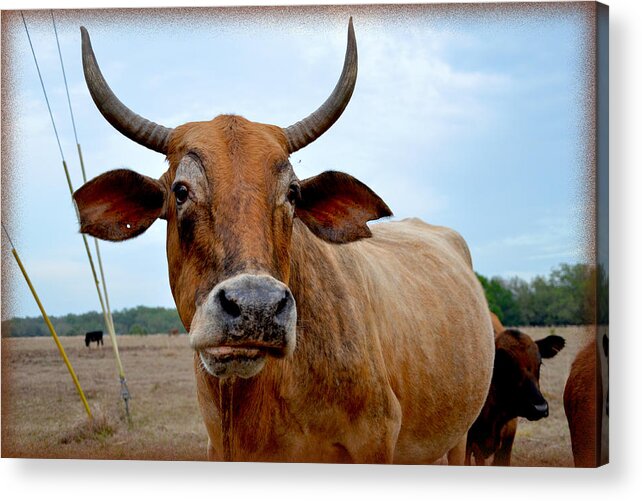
586,404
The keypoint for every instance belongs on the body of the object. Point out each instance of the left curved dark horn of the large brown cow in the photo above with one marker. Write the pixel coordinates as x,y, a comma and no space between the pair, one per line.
128,123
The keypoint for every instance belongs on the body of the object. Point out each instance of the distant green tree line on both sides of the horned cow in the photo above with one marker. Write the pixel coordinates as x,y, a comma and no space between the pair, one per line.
572,294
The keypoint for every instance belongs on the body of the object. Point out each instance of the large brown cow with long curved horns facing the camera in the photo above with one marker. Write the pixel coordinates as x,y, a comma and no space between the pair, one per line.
315,337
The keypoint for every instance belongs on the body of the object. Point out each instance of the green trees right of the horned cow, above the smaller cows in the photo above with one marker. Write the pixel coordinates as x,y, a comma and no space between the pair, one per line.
572,294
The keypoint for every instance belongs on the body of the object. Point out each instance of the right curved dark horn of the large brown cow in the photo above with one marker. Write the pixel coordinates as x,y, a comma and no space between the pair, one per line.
310,128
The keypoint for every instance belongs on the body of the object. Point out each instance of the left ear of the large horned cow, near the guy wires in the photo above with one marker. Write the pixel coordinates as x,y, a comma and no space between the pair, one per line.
119,204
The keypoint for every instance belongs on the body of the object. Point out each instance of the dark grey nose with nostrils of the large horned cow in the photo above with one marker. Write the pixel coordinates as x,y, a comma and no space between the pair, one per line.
256,301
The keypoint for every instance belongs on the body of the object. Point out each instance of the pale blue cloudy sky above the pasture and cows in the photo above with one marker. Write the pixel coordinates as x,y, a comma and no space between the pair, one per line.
469,121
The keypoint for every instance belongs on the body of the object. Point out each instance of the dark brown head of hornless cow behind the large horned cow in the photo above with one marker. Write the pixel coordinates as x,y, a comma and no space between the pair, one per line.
516,374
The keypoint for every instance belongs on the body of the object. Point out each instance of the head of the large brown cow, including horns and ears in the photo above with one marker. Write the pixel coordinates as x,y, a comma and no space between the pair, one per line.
230,198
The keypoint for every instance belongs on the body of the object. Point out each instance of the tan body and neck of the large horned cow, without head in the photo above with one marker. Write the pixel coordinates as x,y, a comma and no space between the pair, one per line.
394,354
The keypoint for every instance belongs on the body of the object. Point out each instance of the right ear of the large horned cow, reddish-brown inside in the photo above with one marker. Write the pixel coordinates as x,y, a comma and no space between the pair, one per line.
336,207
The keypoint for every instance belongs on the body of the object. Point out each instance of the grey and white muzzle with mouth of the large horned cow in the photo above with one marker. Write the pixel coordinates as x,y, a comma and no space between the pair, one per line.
242,321
